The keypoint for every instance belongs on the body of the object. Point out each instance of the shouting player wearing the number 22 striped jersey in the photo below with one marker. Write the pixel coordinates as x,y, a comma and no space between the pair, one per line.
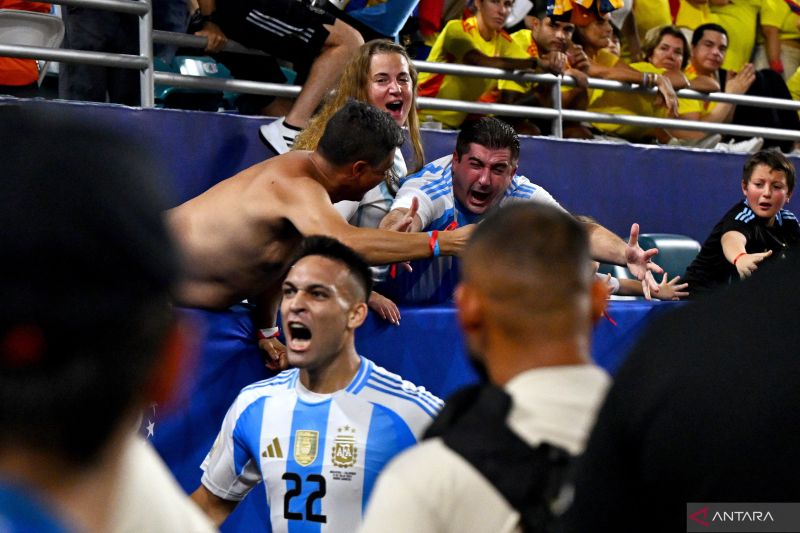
318,434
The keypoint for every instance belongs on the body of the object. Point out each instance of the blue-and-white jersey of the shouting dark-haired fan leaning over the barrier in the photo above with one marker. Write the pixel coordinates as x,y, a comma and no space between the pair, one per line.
433,280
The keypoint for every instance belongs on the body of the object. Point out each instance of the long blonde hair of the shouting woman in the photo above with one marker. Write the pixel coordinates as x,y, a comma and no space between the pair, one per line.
353,83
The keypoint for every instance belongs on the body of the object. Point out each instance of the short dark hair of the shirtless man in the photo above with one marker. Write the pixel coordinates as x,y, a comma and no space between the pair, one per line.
359,132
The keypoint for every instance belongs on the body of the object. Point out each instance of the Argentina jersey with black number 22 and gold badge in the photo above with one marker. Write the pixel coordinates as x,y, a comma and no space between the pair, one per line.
318,454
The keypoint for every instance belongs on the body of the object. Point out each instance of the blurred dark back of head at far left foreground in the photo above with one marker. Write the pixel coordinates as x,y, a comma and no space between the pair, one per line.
86,268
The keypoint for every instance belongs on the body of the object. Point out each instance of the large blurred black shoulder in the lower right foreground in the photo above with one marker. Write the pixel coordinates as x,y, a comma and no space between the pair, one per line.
702,411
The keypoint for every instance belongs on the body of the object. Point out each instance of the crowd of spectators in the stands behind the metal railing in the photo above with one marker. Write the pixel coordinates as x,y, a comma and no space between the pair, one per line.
756,53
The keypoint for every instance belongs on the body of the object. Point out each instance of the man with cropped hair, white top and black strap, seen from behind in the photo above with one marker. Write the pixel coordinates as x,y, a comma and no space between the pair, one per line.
492,458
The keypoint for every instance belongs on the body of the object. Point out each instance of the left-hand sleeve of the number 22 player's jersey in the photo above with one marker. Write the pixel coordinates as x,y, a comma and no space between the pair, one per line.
229,471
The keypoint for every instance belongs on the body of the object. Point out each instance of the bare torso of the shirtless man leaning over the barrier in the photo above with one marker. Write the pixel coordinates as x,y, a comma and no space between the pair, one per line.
234,240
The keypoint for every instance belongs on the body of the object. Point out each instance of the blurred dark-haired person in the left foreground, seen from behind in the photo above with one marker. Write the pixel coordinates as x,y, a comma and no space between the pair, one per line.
88,337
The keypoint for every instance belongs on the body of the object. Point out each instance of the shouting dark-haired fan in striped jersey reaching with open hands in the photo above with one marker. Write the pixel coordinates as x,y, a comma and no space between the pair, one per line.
462,188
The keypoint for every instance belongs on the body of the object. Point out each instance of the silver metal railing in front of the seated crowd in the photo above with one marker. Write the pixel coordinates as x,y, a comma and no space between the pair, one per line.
148,77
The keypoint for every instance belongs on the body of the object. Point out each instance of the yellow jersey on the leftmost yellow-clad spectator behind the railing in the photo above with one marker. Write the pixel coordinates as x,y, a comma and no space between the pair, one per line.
458,38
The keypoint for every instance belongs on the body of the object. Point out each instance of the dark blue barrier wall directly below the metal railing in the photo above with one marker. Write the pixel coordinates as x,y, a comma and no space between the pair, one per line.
671,190
